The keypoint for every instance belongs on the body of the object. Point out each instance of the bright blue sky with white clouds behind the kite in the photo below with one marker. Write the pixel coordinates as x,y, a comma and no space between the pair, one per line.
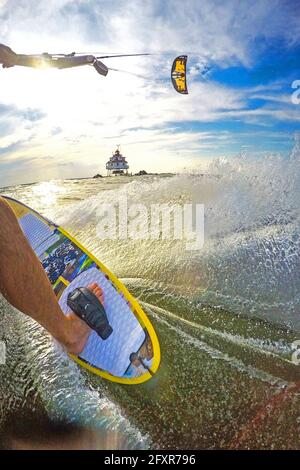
243,57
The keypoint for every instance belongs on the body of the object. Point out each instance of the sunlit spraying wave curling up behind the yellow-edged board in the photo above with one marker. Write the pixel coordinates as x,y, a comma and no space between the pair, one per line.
251,257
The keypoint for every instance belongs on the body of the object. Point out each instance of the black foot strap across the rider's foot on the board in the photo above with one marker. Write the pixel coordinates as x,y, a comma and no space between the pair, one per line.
89,308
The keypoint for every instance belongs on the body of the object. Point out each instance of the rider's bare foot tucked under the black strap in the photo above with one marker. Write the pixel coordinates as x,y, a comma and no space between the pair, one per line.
79,330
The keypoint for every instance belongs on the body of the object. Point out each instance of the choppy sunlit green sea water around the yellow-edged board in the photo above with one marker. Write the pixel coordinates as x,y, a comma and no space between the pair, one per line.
227,315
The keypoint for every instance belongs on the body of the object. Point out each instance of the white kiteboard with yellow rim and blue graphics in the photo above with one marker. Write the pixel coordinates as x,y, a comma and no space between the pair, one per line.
131,352
